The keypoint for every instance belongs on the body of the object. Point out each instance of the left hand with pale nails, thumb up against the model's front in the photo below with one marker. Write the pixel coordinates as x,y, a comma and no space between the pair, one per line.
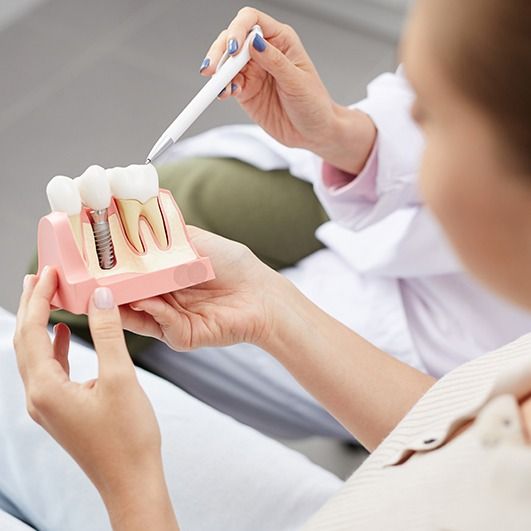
107,424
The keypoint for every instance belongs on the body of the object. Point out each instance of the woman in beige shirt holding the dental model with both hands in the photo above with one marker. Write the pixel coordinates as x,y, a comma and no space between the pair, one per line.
452,454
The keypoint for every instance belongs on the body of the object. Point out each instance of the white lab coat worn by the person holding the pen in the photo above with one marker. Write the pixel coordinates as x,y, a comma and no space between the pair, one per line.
387,270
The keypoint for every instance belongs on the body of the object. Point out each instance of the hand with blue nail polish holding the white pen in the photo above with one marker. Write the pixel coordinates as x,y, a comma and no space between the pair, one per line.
281,91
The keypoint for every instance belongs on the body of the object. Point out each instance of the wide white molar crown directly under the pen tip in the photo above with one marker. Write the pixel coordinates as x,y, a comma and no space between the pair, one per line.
137,181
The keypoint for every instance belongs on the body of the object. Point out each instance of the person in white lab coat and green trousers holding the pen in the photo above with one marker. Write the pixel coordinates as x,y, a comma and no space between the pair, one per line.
387,271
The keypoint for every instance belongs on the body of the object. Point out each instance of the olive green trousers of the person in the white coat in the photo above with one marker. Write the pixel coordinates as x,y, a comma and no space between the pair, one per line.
271,212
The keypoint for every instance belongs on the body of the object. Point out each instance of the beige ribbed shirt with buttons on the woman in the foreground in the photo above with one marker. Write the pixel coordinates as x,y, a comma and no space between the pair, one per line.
420,478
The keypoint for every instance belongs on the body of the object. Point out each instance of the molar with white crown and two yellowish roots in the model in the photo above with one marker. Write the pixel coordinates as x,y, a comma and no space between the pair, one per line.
136,190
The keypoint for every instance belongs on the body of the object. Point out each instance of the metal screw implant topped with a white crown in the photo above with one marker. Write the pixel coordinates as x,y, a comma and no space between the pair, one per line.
96,195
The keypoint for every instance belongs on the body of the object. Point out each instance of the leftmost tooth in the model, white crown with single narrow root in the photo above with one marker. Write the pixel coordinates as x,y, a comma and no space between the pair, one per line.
63,196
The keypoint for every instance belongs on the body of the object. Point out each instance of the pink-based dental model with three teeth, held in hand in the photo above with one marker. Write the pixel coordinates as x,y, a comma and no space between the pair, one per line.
134,241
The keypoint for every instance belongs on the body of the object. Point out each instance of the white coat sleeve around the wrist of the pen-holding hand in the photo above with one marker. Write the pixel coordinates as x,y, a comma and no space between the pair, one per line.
393,165
